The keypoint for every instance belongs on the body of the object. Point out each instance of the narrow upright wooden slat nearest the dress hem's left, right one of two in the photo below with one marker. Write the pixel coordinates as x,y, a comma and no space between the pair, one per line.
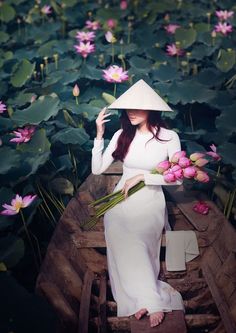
102,304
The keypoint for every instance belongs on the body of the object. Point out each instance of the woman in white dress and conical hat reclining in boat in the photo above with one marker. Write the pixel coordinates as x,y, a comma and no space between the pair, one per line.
133,228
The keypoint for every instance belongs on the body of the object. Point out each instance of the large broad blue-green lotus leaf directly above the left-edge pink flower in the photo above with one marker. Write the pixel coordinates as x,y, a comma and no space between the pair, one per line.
40,110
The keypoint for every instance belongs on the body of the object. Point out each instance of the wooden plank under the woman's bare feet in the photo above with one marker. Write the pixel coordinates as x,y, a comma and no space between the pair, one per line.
173,322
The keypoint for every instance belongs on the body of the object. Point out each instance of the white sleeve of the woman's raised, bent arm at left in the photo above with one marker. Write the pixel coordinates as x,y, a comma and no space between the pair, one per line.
101,161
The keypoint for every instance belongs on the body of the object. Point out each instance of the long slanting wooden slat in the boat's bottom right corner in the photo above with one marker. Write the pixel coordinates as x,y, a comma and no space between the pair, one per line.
219,299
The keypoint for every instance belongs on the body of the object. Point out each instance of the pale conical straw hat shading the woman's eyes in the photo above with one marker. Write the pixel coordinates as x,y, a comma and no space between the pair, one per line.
140,96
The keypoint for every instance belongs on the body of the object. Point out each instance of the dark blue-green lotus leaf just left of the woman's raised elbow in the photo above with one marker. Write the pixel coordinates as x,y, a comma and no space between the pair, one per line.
76,136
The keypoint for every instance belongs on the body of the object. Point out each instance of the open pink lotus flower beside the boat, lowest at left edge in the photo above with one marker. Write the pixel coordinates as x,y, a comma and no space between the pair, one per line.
17,203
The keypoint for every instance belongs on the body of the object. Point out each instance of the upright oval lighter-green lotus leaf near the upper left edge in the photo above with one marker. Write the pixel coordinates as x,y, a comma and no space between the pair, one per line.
22,72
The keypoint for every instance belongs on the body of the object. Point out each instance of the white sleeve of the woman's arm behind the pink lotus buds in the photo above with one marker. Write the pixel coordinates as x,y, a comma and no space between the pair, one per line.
155,179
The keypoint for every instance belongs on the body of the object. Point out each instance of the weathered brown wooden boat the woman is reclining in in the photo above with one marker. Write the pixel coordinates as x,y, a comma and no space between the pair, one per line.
74,278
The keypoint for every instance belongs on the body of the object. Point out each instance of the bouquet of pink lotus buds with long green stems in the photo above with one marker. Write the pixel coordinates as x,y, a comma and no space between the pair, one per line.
177,168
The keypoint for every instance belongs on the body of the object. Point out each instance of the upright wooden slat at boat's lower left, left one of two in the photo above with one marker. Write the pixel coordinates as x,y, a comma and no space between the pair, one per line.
85,302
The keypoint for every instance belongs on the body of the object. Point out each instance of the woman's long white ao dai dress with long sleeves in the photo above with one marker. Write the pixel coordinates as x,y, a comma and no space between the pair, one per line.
133,228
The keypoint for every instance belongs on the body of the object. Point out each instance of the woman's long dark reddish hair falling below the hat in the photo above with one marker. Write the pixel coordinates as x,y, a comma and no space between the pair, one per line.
154,124
